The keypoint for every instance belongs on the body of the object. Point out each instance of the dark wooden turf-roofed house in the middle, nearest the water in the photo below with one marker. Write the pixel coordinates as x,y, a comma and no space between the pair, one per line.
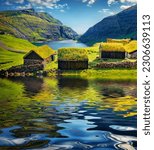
72,59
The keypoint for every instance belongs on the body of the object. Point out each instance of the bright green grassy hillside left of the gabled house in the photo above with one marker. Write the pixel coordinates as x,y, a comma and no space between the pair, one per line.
12,50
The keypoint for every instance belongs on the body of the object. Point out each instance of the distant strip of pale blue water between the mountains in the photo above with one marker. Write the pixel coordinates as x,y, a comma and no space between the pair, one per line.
65,43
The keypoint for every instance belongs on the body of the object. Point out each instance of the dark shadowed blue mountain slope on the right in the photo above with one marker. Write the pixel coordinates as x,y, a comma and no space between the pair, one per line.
121,25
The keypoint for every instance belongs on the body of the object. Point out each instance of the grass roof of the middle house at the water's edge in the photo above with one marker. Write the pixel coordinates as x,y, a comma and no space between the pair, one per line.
73,54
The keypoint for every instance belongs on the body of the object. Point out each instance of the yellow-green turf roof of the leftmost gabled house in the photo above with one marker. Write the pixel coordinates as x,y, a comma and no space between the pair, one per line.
43,51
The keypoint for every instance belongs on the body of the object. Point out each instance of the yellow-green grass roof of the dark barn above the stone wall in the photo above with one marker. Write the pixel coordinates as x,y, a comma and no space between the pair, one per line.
112,47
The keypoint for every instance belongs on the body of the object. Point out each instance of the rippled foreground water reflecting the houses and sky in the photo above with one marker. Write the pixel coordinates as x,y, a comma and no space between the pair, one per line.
66,113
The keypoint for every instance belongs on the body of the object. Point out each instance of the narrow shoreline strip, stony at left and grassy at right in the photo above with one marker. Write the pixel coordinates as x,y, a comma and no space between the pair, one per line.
106,74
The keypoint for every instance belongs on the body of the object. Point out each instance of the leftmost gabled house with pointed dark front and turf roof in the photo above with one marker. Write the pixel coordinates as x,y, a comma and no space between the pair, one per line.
41,55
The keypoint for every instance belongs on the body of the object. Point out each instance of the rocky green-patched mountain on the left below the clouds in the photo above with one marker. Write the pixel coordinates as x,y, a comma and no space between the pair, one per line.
34,26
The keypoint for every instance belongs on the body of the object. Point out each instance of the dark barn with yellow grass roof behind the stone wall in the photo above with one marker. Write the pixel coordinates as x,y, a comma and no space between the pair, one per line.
112,51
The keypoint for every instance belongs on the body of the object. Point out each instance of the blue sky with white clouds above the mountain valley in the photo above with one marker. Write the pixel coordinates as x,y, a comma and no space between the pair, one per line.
77,14
